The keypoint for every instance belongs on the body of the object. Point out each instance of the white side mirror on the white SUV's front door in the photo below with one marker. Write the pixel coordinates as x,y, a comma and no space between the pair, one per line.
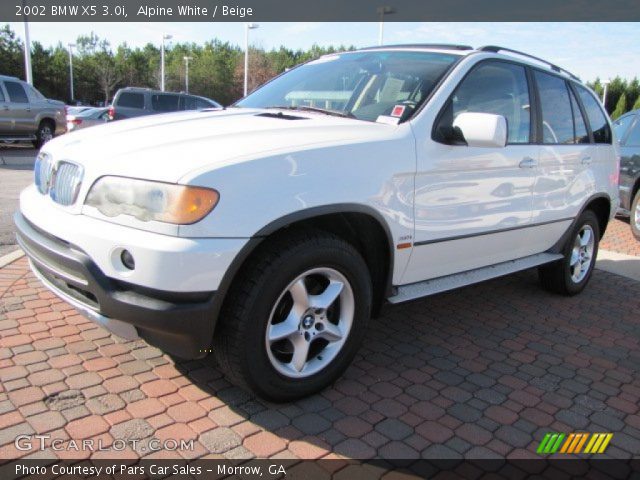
482,129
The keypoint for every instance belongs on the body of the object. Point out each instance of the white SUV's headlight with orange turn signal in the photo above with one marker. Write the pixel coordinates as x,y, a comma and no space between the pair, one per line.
151,201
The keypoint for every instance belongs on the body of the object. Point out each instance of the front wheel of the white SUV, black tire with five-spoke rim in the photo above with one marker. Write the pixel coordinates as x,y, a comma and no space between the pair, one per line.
261,303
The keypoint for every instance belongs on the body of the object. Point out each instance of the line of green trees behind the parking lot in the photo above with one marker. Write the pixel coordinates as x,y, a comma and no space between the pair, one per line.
216,70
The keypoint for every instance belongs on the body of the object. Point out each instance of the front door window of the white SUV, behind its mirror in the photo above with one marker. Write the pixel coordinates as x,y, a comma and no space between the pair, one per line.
499,88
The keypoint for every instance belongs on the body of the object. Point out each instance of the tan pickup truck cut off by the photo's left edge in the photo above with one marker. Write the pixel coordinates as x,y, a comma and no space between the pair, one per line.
27,115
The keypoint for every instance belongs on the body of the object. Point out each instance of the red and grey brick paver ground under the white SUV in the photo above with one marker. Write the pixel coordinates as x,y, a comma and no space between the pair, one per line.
484,371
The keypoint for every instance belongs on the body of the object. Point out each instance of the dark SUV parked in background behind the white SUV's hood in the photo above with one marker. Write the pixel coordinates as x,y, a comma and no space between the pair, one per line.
132,102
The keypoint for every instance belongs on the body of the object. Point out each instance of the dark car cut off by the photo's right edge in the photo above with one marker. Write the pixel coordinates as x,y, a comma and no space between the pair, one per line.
627,129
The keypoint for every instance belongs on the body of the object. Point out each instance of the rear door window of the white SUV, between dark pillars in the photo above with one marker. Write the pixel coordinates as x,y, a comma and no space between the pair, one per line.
557,115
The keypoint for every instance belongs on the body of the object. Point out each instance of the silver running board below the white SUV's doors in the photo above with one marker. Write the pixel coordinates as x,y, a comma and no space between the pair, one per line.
450,282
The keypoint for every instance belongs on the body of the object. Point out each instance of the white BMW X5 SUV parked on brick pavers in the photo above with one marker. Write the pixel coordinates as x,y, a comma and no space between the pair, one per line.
271,231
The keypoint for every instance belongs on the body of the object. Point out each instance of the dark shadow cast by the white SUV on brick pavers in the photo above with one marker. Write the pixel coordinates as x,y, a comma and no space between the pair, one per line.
481,372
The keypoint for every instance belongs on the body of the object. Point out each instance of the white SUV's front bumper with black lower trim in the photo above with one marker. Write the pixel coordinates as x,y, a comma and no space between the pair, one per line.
181,323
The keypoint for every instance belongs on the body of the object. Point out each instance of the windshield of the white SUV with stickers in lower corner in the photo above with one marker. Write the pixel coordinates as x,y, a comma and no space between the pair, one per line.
362,85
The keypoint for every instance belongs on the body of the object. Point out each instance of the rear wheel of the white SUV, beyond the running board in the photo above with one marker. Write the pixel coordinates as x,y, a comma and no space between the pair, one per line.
570,275
